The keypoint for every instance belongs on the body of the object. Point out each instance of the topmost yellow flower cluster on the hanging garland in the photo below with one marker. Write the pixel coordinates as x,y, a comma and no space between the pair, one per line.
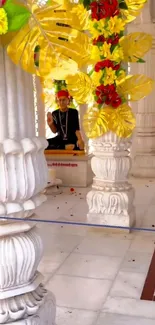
106,27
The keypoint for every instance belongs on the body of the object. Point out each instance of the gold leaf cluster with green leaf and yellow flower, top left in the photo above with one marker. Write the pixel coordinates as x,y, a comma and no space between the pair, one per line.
46,39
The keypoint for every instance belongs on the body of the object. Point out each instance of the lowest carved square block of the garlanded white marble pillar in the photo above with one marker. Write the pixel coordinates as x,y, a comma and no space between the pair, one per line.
111,208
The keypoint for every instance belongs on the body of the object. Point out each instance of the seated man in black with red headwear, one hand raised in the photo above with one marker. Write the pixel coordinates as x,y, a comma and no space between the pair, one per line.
64,122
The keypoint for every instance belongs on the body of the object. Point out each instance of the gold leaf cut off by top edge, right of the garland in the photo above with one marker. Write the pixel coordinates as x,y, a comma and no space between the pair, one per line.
134,9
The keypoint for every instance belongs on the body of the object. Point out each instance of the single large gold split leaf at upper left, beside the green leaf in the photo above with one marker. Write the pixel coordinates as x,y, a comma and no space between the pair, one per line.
56,32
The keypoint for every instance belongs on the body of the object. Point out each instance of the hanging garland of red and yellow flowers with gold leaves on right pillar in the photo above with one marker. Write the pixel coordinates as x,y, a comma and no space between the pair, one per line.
108,81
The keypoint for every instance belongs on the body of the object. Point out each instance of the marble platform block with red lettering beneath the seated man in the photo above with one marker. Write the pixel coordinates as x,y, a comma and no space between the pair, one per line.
74,171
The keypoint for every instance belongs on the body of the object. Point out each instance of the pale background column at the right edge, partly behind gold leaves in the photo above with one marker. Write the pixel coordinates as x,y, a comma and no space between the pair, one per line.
143,149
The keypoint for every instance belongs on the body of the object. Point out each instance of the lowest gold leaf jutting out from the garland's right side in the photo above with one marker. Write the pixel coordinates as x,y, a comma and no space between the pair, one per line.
136,87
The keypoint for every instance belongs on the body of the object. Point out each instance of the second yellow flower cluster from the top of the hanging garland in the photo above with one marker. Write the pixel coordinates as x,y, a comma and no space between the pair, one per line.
104,51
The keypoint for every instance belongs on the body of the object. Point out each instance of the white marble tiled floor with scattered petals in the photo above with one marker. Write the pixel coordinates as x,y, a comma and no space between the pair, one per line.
97,275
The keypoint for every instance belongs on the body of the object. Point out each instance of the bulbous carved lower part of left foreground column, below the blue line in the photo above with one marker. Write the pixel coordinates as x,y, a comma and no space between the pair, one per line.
23,299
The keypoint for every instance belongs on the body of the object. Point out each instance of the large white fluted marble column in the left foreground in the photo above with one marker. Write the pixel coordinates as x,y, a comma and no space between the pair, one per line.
23,176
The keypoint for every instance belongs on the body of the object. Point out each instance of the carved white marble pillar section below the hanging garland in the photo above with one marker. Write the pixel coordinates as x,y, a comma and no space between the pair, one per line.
110,201
